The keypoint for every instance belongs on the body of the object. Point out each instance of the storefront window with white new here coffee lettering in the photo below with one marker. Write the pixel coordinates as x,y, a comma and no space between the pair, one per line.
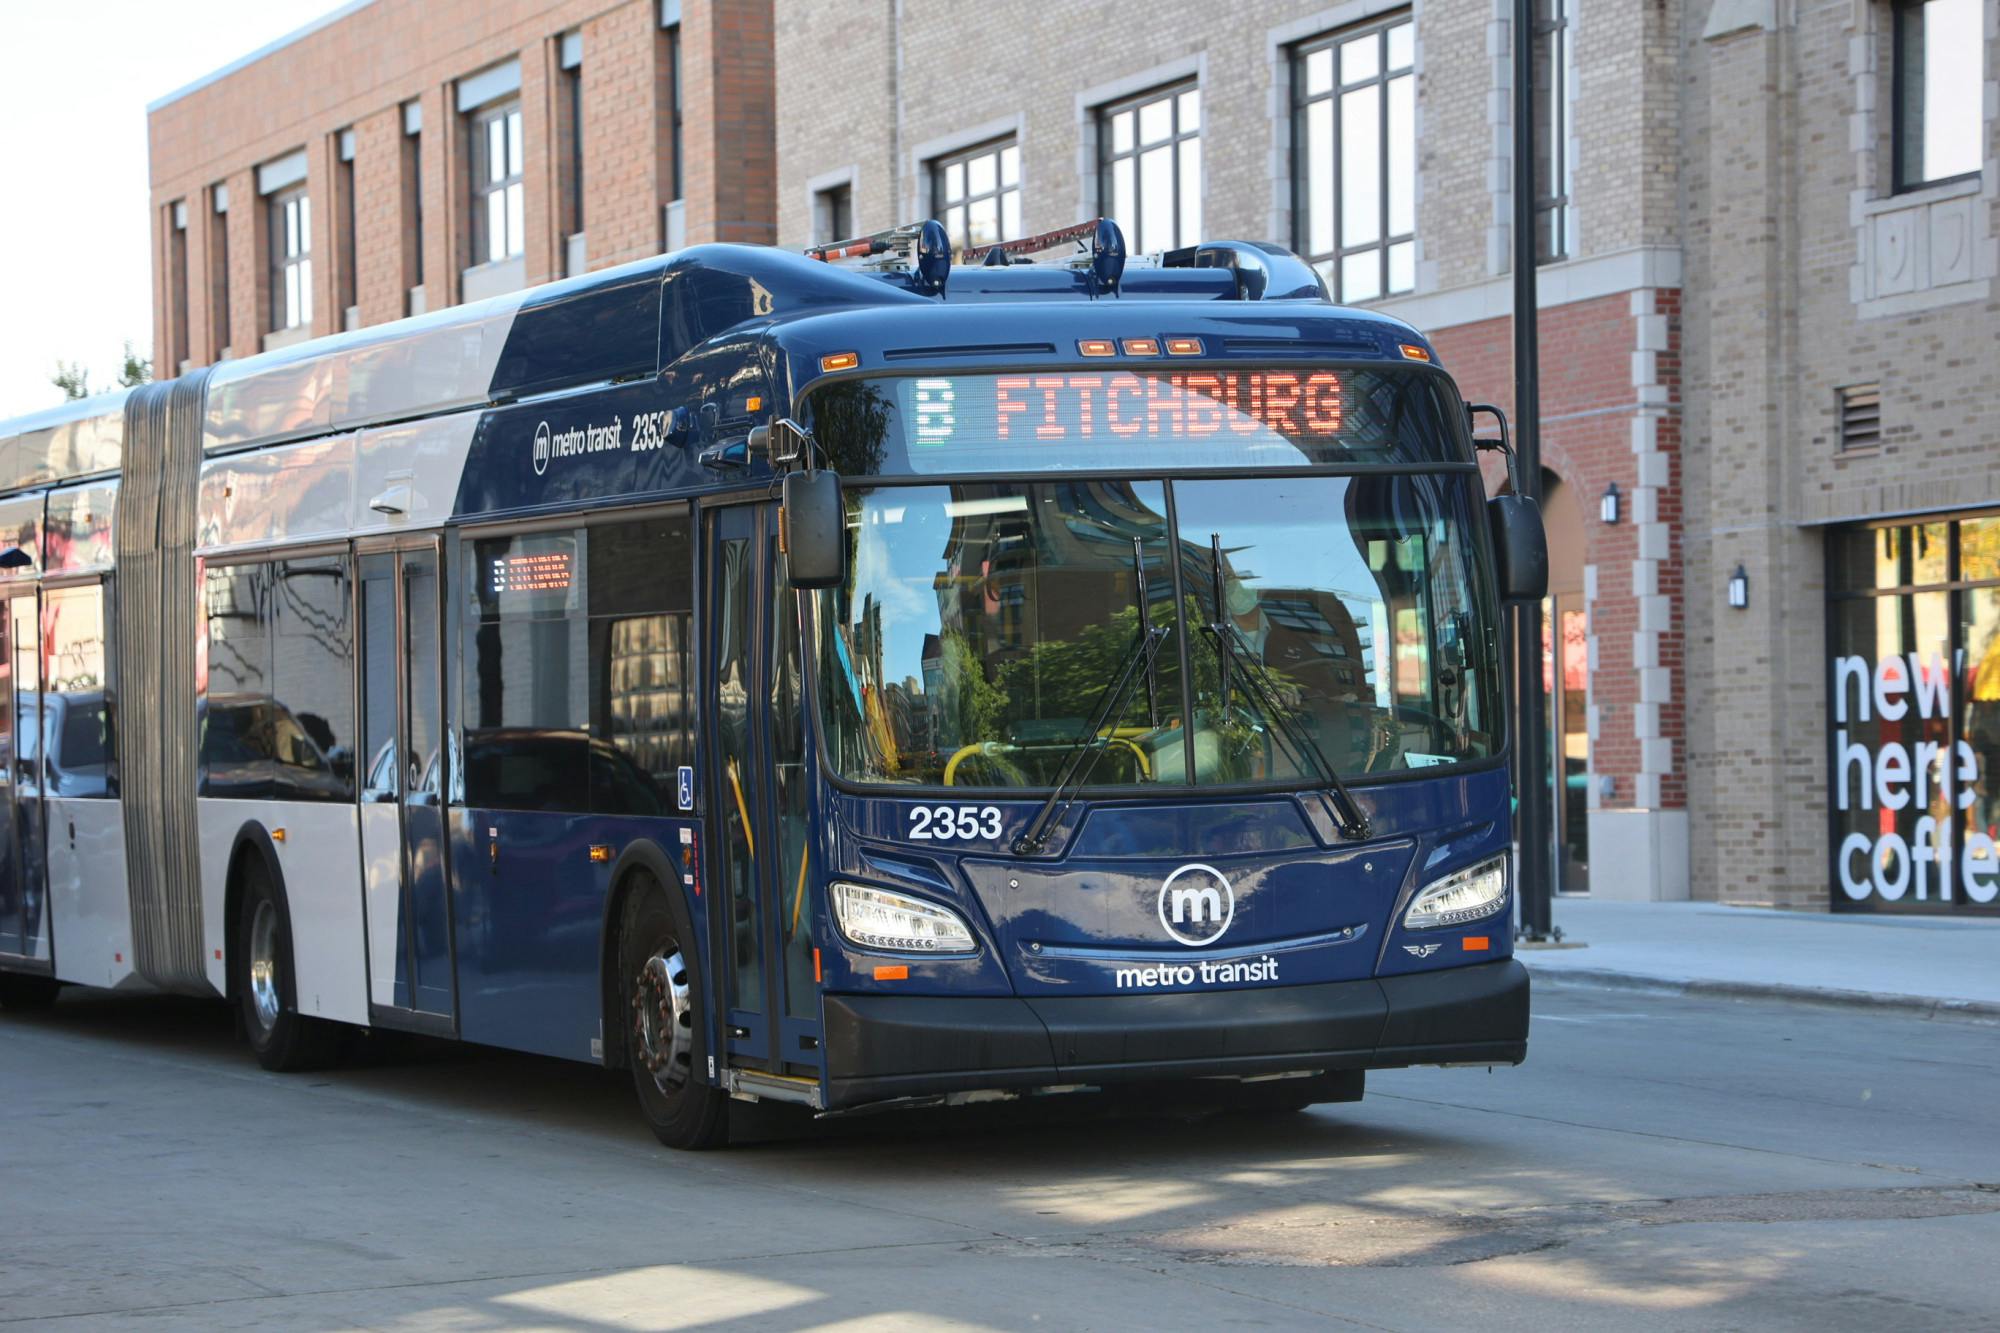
1915,696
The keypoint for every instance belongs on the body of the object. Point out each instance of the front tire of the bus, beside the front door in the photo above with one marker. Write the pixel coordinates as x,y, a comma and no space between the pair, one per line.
667,1020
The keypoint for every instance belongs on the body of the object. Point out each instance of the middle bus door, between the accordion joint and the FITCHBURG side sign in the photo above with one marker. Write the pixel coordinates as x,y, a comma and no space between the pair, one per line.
403,792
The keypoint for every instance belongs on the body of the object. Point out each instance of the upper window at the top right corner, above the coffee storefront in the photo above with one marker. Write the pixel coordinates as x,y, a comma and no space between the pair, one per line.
1937,91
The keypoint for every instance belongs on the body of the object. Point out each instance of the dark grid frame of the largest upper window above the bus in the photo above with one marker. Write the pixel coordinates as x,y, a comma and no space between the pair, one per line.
1331,263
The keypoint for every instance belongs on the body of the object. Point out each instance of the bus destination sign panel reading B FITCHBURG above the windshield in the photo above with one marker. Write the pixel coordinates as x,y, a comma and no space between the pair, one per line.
1121,421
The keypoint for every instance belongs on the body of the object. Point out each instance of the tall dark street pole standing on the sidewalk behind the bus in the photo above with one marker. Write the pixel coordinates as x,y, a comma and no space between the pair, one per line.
1537,810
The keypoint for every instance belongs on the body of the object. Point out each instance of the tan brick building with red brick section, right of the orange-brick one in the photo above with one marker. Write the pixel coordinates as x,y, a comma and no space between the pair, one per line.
1767,313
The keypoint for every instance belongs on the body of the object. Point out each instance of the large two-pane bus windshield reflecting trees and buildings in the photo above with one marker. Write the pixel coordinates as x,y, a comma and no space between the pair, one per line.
983,625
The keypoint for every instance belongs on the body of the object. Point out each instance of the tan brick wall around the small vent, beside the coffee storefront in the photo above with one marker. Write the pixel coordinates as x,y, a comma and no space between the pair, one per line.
1775,187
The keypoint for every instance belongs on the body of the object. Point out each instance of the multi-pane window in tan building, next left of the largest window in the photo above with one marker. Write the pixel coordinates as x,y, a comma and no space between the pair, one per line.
1151,155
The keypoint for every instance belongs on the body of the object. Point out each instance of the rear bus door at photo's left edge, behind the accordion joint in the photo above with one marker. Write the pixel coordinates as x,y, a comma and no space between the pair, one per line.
23,884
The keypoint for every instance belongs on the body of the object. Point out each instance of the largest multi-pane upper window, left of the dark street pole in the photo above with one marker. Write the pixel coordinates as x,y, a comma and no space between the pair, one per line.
1355,125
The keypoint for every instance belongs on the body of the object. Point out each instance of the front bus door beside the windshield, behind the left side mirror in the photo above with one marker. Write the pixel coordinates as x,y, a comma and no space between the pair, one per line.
757,812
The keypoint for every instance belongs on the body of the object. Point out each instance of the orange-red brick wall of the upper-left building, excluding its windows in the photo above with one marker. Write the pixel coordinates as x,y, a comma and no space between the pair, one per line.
359,71
